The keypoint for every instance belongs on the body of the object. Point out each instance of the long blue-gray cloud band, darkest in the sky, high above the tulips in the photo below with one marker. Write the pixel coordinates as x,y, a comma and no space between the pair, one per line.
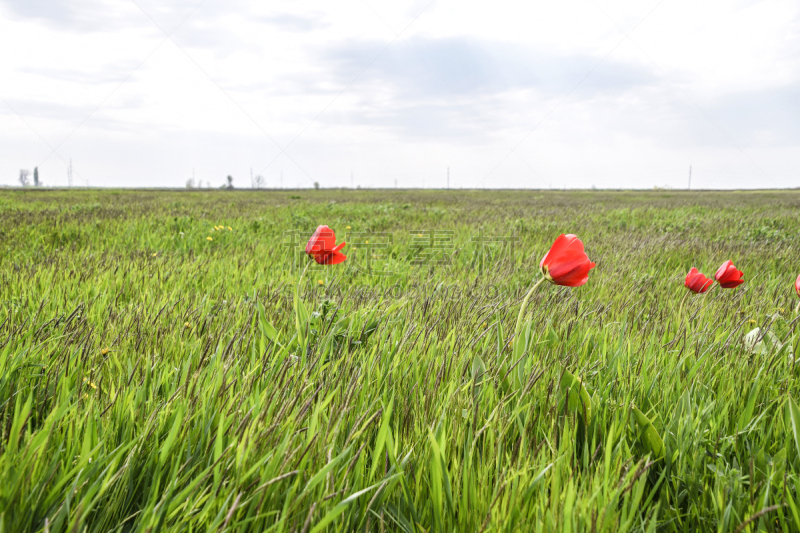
431,68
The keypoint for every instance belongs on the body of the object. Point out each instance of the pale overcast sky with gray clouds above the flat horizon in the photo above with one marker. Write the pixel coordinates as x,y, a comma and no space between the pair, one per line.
538,94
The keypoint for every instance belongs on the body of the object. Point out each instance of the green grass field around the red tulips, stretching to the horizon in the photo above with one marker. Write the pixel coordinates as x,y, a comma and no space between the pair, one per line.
163,365
